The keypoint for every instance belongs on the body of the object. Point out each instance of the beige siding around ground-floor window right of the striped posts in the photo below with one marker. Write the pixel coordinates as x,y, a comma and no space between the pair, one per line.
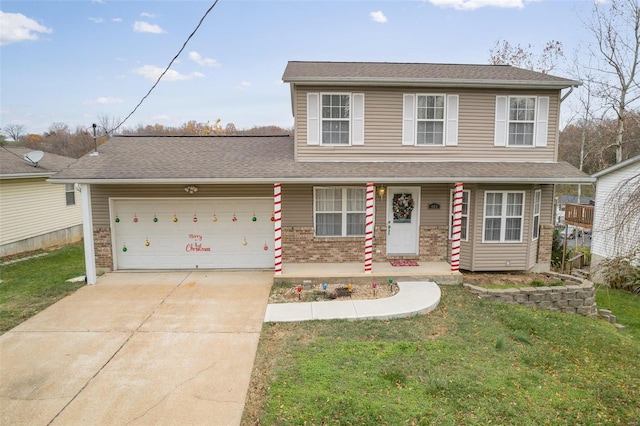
494,256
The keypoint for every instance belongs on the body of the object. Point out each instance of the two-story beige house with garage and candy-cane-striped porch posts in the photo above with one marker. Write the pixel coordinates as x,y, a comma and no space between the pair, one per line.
370,170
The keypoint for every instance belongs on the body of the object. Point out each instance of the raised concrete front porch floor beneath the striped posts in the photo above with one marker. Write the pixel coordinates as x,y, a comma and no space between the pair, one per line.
352,272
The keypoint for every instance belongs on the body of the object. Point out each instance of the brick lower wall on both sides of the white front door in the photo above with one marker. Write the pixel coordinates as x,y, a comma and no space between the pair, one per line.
299,245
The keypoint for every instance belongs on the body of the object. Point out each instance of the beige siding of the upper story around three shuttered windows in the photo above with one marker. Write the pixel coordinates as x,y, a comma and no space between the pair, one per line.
383,129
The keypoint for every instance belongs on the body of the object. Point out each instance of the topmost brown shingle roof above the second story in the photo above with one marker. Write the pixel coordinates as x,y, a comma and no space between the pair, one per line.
451,75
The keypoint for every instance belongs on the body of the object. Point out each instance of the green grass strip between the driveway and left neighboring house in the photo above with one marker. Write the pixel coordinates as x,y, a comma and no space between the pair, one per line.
30,286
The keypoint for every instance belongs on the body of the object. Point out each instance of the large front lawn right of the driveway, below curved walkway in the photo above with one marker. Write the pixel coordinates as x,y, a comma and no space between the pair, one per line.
469,362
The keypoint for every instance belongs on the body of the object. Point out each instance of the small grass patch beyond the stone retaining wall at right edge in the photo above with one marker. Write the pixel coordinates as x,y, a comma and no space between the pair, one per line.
624,305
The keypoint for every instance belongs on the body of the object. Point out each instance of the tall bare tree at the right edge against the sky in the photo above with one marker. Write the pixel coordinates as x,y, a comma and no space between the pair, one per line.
616,29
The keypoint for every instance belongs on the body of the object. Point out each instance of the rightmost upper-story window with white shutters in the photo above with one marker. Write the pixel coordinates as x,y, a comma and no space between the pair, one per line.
521,121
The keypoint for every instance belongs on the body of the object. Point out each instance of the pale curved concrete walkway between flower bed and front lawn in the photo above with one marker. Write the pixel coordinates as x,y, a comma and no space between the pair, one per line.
414,298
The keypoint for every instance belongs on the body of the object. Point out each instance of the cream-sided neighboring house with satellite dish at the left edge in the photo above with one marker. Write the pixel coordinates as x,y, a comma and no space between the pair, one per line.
35,214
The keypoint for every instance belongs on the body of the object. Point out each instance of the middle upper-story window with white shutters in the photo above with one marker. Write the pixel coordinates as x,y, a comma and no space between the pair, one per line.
430,120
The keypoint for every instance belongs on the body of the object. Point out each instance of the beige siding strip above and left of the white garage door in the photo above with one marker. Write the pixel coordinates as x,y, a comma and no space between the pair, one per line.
100,194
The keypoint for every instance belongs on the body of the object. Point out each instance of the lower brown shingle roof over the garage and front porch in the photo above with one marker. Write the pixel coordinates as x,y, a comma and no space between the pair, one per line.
270,159
